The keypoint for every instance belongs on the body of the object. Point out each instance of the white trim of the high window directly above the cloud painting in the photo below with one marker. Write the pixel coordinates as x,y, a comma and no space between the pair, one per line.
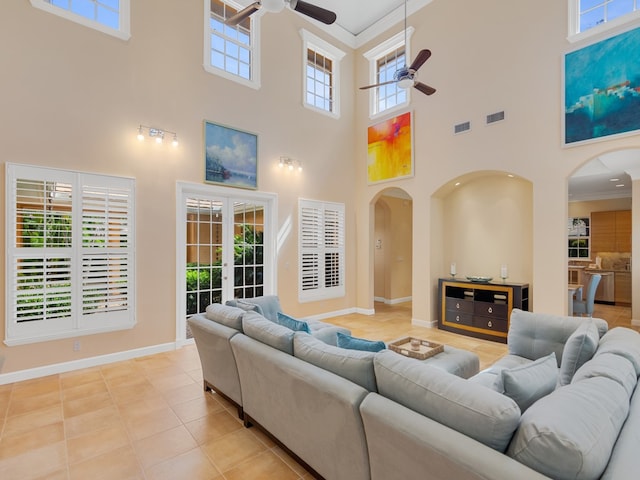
254,81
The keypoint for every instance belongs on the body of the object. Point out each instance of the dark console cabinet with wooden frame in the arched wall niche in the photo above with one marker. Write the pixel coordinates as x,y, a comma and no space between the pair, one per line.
479,310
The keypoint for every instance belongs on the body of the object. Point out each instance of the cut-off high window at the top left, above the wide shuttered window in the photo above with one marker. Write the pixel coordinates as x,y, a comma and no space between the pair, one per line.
108,16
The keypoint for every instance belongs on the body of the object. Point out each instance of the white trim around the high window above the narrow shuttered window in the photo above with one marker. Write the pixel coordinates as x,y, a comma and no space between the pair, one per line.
315,43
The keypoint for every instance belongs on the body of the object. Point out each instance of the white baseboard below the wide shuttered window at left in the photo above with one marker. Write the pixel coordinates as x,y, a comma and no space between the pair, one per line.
85,363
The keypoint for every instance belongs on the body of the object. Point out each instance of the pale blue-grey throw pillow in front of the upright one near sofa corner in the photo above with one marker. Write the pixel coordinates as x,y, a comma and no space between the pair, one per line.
529,383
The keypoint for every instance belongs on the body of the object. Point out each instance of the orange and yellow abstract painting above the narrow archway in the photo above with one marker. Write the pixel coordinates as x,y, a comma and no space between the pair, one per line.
389,149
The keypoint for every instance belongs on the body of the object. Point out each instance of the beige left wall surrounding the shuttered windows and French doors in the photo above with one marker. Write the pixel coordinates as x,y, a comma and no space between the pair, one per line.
72,98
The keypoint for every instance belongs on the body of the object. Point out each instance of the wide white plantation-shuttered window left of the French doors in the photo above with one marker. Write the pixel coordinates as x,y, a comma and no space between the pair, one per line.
70,254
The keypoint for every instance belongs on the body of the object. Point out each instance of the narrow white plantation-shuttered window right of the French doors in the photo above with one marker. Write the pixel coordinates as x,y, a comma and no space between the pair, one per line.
321,250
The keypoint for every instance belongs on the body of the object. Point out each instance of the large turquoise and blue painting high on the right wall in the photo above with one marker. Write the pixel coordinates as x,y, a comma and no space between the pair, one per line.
602,88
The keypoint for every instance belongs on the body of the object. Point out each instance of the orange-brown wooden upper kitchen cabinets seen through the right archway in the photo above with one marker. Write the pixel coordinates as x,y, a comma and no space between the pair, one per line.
610,231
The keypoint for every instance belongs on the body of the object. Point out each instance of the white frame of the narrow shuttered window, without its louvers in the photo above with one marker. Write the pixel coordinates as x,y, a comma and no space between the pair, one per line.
321,292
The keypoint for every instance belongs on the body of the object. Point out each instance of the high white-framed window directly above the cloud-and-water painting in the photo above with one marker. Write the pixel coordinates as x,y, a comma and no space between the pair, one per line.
231,51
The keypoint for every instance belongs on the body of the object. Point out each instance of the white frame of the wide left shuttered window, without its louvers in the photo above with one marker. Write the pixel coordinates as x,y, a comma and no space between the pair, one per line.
77,324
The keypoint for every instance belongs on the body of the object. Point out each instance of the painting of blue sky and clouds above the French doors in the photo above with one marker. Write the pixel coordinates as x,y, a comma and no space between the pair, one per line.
230,156
